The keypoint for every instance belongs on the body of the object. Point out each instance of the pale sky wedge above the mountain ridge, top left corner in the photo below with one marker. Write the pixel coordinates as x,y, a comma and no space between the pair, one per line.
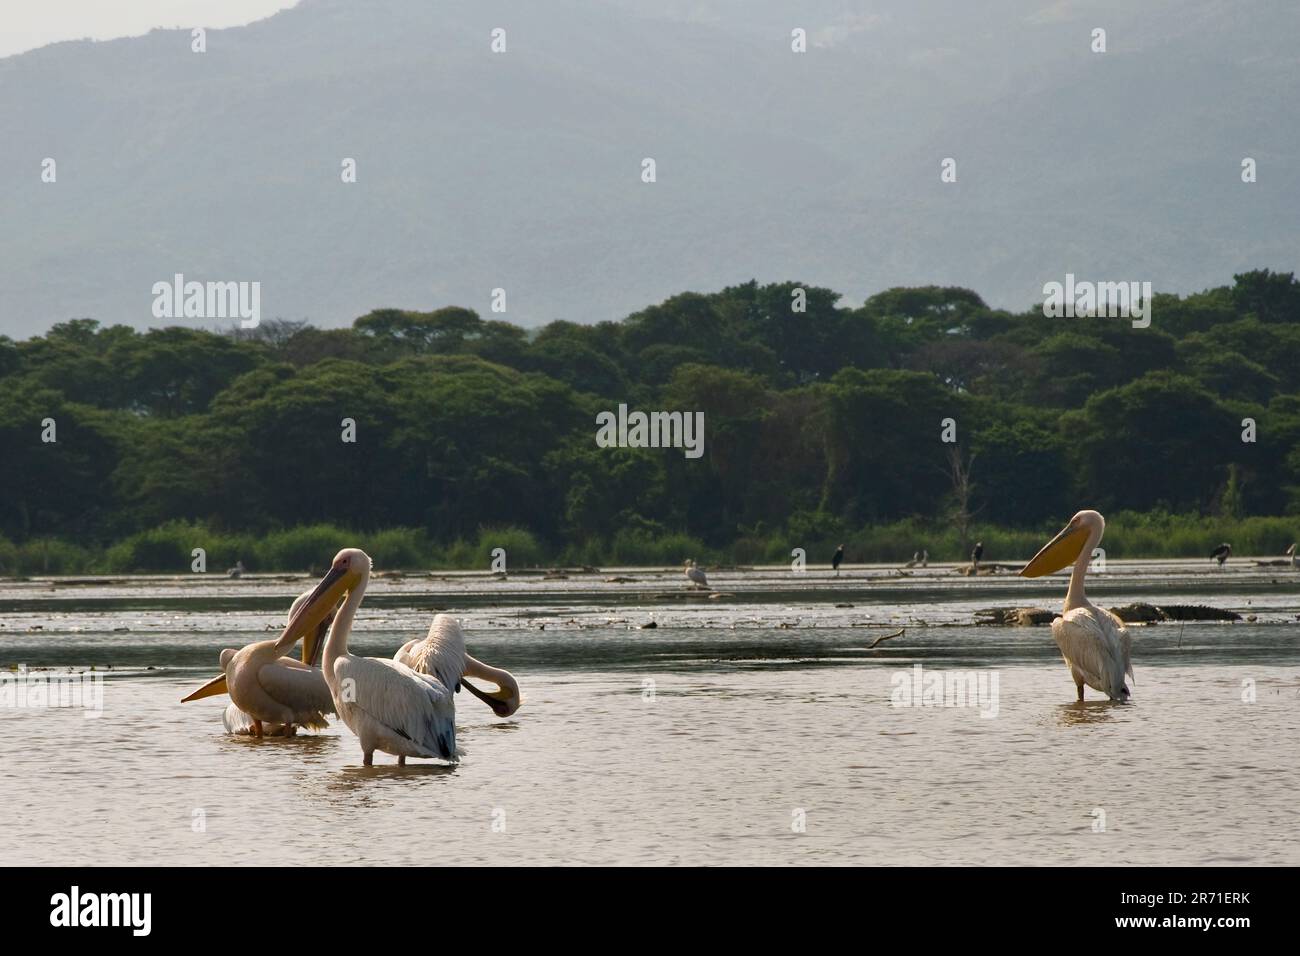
31,24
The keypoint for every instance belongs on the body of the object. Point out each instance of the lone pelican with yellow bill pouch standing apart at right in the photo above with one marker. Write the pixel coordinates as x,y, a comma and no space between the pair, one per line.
1094,642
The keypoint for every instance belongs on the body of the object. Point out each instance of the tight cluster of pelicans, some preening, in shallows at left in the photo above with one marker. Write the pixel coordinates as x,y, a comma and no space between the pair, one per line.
404,707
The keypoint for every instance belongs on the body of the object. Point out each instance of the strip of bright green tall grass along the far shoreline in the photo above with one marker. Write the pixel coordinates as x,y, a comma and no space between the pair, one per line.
170,548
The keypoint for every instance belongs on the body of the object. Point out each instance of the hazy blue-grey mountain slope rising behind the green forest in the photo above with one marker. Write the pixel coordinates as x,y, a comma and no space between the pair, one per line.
523,170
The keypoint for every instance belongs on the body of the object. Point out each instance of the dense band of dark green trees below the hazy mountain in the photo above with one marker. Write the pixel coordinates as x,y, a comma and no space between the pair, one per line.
820,425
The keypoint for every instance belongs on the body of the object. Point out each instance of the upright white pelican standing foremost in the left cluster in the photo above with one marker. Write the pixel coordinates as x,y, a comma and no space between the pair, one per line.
388,704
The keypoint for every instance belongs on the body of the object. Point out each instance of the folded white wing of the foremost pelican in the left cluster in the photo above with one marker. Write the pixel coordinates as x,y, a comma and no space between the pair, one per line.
418,707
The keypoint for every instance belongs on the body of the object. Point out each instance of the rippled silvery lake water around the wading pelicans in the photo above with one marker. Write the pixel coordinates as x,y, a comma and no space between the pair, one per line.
707,741
